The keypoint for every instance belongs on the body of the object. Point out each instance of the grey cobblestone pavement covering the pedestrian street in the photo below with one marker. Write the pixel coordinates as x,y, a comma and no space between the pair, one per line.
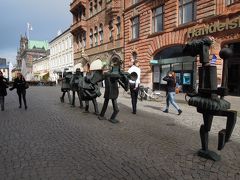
52,140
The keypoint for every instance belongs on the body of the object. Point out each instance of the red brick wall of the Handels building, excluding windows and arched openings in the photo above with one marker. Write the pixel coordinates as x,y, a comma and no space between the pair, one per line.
149,44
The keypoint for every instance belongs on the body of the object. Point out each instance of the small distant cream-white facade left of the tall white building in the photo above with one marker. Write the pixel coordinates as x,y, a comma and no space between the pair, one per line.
41,69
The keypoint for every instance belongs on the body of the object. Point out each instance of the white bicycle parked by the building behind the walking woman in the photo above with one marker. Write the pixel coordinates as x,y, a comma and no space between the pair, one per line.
148,94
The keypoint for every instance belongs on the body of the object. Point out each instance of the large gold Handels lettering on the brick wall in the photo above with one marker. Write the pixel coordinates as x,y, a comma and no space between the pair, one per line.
217,26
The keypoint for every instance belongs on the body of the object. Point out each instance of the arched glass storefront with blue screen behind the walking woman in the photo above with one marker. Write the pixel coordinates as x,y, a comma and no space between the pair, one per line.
172,59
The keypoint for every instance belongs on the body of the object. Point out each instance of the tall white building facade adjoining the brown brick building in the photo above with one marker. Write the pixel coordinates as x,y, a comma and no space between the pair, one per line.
61,55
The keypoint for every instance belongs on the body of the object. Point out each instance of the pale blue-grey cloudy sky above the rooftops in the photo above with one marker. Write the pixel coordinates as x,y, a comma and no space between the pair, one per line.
47,17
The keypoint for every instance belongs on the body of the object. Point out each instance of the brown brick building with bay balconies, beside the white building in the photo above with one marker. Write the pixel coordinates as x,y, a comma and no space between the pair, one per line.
97,30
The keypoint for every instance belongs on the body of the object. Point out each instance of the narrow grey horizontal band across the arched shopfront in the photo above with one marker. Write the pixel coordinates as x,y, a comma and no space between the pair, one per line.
173,60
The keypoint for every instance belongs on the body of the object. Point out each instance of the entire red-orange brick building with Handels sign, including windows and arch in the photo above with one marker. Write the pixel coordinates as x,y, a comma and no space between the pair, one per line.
157,30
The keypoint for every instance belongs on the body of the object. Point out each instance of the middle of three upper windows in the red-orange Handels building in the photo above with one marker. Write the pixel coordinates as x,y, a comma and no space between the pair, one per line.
157,21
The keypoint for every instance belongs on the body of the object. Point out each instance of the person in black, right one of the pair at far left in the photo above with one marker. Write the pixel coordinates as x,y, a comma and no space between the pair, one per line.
20,85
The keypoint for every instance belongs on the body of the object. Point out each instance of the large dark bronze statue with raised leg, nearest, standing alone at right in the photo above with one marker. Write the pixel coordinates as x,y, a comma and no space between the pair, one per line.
207,100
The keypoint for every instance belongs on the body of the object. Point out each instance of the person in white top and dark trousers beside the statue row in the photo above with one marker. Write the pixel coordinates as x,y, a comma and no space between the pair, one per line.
134,85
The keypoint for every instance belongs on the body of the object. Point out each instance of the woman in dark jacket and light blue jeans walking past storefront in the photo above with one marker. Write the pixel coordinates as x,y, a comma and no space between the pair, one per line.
170,92
